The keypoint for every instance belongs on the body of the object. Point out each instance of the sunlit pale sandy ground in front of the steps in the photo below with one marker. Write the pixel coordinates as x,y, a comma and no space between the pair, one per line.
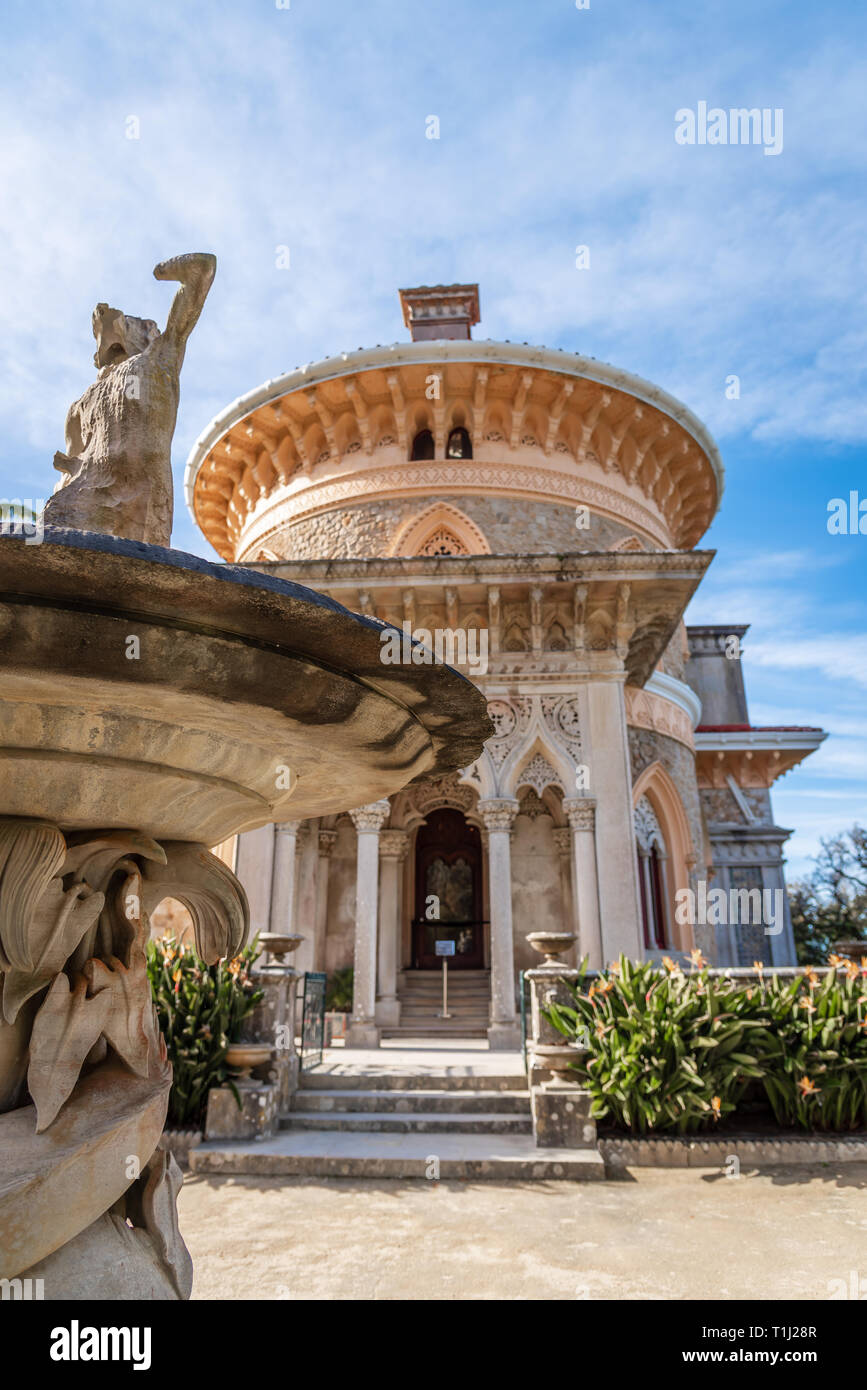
654,1235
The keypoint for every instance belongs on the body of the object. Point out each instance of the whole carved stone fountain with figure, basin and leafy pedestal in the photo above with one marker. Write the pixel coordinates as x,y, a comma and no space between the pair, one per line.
152,704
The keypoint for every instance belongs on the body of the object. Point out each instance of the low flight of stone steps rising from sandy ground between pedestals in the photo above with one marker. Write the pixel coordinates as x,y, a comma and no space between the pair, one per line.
451,1125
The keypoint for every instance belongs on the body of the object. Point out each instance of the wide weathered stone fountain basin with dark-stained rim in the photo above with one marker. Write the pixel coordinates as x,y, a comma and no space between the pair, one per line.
147,687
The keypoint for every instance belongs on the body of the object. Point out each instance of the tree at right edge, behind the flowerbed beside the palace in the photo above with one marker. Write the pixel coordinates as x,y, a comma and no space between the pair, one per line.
832,903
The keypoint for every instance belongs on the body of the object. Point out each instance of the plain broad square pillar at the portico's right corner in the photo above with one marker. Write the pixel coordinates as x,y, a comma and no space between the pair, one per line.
608,750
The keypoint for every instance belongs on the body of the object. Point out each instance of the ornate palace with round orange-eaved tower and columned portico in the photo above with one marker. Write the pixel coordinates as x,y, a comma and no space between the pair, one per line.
537,516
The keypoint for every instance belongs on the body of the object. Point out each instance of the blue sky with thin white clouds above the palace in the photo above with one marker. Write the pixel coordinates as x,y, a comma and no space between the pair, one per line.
305,127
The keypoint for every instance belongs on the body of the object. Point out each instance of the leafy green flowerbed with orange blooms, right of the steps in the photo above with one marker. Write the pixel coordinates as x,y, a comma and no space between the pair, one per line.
679,1052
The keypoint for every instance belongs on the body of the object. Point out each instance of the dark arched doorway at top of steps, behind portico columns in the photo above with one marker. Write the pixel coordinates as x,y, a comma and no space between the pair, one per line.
448,892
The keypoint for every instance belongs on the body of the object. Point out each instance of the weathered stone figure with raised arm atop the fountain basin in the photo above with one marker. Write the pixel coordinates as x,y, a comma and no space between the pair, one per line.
117,468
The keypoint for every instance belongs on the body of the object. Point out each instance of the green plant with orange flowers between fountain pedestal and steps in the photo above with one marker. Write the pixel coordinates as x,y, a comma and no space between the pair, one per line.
201,1008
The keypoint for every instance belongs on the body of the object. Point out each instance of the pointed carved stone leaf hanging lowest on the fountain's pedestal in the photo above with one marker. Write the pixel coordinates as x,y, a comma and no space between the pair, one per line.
65,1031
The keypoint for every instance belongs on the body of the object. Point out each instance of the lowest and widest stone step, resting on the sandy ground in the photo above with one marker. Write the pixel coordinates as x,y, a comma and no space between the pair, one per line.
342,1154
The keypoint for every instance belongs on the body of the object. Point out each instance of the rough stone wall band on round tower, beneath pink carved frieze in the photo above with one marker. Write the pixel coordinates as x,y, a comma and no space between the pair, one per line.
511,526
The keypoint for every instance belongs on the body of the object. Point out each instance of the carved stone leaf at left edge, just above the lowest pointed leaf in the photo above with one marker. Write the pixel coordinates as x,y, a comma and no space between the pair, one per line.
58,924
